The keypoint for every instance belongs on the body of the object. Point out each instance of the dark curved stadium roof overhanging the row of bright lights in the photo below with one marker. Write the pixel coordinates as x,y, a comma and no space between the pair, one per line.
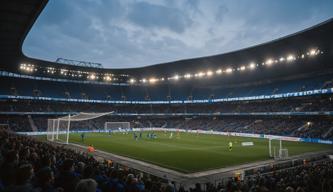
17,18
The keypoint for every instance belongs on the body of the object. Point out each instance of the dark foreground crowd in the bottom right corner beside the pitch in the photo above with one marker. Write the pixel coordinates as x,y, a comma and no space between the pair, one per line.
306,178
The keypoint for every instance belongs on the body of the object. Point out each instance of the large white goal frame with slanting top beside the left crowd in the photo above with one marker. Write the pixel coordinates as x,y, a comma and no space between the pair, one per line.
53,129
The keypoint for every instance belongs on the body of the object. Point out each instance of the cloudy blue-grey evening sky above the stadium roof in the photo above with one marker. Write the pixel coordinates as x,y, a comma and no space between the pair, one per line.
137,33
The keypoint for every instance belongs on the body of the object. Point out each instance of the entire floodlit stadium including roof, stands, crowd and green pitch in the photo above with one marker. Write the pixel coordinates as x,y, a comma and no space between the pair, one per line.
255,119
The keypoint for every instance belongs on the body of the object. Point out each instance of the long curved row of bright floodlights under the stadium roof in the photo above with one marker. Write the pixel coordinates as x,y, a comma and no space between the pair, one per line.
29,68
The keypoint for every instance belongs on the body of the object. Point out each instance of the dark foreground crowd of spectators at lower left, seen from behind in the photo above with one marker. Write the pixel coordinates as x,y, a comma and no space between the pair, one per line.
29,165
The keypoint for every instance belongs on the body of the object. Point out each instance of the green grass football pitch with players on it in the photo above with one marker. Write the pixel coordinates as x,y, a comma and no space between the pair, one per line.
189,152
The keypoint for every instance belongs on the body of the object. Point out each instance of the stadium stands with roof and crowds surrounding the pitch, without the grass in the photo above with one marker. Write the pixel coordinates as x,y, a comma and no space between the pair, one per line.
33,90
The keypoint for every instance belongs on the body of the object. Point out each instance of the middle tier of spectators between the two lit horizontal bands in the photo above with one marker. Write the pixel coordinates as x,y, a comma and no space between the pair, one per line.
301,104
